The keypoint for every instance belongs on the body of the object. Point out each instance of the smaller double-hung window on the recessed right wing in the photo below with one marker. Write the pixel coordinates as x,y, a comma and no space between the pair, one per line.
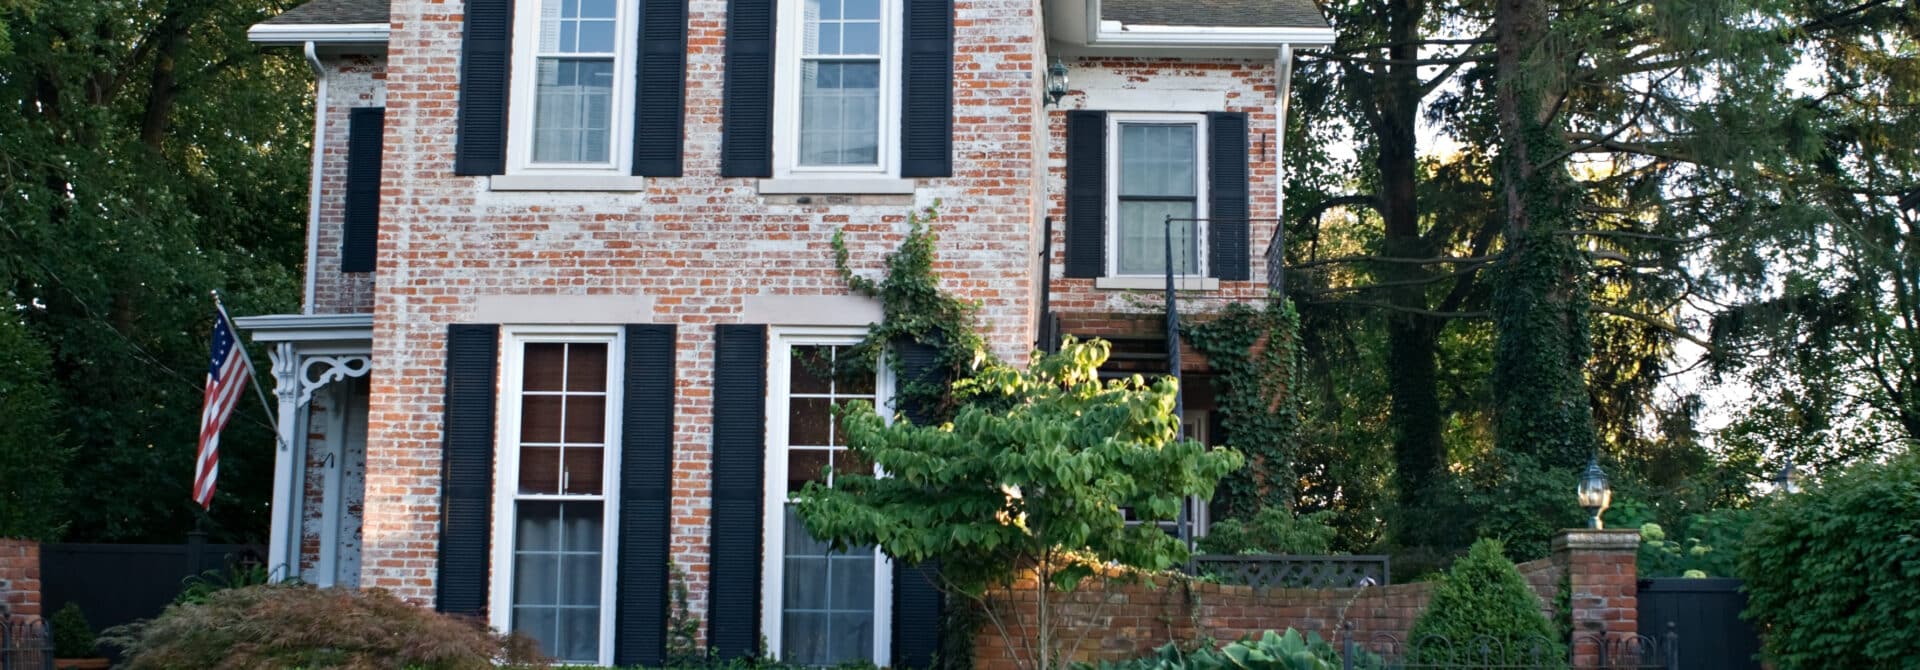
1159,172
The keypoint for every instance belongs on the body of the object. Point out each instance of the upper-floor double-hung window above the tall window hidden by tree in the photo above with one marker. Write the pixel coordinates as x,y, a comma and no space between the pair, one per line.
838,72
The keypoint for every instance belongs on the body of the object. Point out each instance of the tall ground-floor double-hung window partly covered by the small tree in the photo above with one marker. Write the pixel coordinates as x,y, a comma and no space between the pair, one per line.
819,608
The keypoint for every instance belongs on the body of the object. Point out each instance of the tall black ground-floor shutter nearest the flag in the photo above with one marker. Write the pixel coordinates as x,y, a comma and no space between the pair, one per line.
468,469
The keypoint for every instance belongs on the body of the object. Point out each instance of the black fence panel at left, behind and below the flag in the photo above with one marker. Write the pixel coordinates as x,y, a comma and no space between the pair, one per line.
120,585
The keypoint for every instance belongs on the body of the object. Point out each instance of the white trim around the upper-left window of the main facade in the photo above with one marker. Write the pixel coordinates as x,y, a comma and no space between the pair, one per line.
521,97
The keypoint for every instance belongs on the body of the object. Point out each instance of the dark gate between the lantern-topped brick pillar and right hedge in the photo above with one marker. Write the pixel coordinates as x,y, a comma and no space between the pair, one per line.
1706,613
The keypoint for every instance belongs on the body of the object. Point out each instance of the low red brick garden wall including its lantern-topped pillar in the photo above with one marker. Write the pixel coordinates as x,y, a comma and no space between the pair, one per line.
1138,619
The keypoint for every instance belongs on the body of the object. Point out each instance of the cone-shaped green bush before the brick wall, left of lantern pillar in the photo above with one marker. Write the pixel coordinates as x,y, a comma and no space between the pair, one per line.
1485,598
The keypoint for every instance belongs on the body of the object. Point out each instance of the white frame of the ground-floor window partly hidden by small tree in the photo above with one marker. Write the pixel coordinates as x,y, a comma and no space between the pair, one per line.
775,487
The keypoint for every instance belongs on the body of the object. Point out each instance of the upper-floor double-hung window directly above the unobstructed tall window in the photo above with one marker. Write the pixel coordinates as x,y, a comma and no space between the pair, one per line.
573,97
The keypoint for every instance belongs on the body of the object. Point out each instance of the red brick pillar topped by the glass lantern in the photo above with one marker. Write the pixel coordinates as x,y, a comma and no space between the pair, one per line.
1602,588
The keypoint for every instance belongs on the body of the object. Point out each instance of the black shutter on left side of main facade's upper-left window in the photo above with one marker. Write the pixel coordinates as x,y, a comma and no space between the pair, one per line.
487,59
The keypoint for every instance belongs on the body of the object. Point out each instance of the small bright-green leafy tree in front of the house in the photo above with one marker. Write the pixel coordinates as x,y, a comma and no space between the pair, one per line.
1028,481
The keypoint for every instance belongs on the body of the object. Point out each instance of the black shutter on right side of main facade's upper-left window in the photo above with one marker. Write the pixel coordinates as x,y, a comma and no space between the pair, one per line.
663,87
